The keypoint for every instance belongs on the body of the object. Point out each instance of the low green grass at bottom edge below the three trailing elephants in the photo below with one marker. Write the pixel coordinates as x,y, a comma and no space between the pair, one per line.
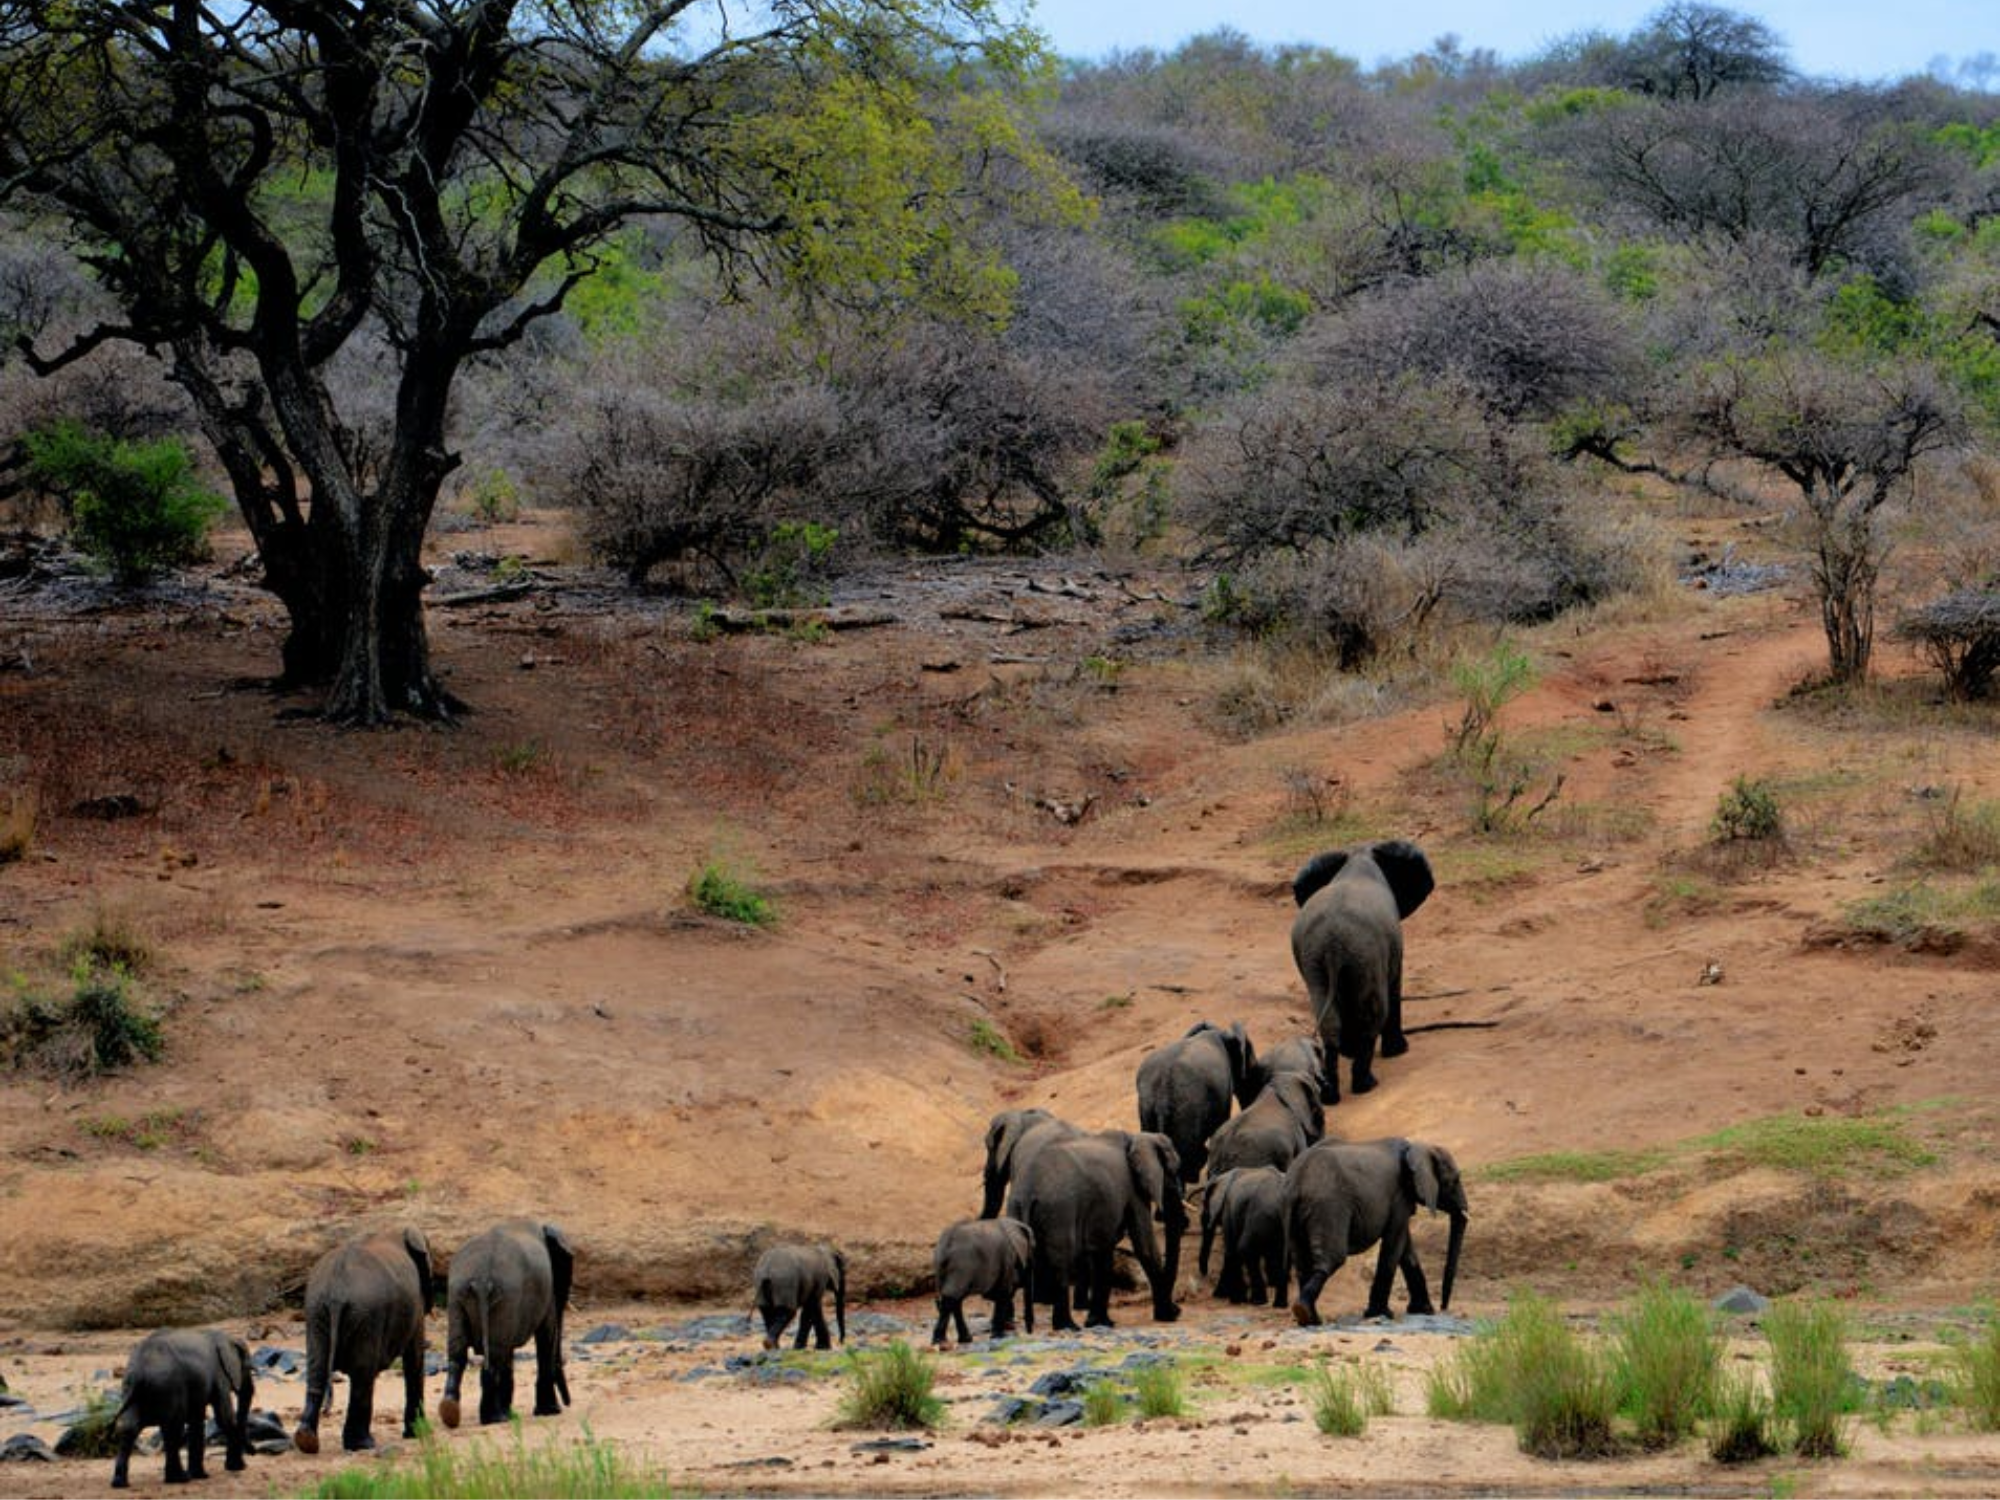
445,1471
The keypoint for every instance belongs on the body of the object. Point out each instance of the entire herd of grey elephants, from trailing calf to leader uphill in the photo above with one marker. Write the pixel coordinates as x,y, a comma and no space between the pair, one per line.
1243,1135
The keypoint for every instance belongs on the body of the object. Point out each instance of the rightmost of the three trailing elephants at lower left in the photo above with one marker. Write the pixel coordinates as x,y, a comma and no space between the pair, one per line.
505,1287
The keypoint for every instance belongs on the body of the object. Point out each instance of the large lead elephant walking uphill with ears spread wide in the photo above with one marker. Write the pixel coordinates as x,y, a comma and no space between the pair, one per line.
1347,943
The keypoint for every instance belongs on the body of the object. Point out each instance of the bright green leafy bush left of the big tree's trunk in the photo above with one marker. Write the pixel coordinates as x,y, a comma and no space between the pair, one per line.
135,507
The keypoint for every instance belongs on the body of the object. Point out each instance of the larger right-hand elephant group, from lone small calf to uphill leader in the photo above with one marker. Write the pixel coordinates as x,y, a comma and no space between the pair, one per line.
1245,1137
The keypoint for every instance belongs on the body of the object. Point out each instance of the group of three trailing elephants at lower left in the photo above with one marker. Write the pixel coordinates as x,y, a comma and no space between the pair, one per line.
365,1311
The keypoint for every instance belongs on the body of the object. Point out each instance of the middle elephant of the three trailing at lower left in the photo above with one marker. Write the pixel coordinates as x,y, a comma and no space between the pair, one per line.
365,1311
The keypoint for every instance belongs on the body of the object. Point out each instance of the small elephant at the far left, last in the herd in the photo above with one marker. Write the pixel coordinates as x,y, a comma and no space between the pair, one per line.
171,1383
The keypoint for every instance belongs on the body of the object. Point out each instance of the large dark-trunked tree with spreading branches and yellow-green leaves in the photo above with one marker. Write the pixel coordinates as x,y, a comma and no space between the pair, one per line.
267,187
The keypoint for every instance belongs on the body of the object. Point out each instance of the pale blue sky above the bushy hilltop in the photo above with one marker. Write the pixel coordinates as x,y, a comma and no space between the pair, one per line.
1865,41
